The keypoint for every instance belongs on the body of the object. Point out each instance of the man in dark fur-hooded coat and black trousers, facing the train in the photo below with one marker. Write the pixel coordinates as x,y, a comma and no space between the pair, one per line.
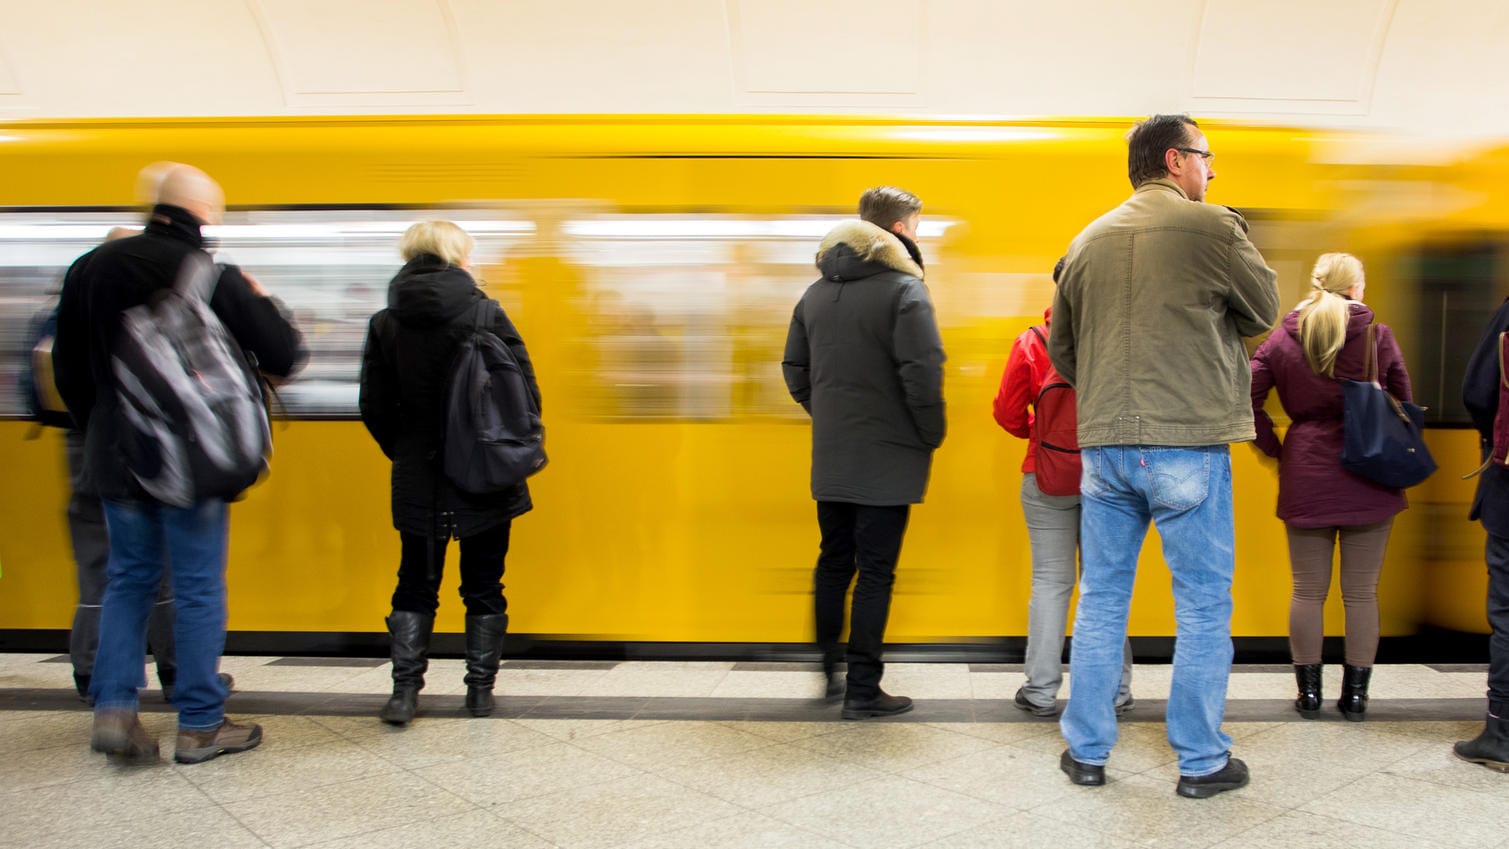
865,360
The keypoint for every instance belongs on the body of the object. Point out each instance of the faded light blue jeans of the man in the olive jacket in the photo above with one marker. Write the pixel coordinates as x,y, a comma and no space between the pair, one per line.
1187,492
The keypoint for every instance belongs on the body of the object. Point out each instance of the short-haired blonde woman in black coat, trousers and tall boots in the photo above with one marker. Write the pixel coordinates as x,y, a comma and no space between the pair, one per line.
434,305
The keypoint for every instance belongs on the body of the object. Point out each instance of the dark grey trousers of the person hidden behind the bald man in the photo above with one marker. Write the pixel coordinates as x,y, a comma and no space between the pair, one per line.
91,556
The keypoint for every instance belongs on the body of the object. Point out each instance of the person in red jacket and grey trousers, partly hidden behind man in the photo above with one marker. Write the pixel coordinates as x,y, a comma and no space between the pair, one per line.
1053,532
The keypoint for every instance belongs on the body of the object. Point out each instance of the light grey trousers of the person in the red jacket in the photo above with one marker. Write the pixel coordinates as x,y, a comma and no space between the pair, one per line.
1054,535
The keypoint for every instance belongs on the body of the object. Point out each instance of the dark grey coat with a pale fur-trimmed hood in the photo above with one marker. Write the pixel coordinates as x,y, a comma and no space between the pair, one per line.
865,360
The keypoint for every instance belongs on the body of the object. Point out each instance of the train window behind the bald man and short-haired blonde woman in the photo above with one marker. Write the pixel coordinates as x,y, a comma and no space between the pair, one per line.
331,268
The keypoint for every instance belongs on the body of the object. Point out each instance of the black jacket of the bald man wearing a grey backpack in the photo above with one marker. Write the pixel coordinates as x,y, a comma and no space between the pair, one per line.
124,274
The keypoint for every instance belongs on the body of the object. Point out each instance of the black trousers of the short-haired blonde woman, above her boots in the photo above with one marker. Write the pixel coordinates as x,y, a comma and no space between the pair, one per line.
420,569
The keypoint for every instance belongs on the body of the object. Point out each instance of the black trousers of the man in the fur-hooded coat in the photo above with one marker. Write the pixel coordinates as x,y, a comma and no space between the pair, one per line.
867,541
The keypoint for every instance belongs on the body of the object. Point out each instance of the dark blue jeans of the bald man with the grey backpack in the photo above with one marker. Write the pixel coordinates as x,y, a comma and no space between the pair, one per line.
144,536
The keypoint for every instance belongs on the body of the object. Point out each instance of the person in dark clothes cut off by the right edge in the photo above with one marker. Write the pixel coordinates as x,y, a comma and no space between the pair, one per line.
1486,400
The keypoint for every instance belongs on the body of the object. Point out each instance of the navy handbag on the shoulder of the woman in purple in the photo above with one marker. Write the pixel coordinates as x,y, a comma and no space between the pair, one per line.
1383,437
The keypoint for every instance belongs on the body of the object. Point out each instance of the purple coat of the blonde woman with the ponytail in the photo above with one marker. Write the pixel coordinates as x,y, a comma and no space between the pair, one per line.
1314,488
